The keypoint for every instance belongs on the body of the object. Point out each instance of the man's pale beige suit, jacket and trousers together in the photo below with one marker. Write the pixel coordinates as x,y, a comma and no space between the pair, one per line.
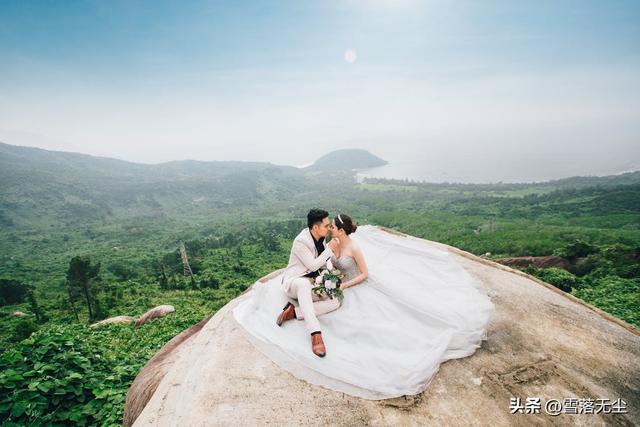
304,258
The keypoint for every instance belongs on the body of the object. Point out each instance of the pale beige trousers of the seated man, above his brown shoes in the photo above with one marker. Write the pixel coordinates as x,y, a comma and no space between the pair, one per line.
310,304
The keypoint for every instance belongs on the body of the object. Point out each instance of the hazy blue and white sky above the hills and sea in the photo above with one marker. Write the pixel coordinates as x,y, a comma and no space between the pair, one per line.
523,89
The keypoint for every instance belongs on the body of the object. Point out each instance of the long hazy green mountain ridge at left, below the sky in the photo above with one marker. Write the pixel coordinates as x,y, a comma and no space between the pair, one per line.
43,188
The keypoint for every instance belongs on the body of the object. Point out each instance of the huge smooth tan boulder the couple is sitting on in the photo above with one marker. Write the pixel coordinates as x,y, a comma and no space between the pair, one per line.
542,342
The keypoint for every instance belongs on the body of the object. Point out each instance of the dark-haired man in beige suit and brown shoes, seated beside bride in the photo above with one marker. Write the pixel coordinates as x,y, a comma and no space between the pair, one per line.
308,255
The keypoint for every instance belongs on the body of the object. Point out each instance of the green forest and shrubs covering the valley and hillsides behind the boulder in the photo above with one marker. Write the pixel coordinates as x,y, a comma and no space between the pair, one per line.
86,238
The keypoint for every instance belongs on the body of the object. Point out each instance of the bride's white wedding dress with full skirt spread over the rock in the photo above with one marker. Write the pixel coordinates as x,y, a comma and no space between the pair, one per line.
417,309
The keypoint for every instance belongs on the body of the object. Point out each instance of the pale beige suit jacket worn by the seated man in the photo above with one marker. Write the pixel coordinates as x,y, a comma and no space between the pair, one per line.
304,257
